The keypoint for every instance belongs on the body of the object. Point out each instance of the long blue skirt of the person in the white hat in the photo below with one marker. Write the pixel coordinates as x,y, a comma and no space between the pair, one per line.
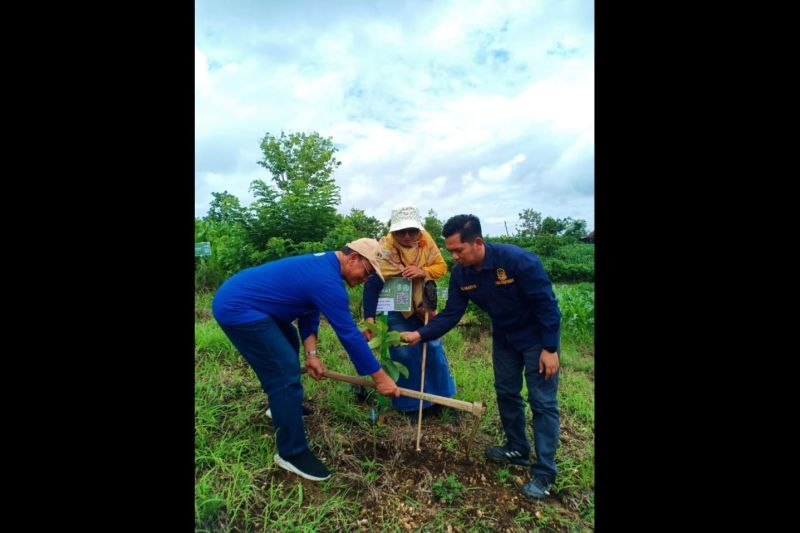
438,379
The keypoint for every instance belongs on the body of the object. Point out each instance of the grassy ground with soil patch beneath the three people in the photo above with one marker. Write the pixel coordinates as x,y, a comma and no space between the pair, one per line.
380,482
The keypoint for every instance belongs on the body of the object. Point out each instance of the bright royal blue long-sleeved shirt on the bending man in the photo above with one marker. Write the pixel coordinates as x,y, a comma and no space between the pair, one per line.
299,288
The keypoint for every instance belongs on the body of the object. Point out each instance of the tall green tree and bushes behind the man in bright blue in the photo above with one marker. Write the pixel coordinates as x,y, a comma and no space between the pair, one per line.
291,216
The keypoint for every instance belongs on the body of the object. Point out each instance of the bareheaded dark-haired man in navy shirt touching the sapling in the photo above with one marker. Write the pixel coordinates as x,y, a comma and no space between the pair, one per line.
511,285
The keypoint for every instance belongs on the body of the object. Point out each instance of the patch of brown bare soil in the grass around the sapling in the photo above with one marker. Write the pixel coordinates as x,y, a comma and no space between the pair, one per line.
388,471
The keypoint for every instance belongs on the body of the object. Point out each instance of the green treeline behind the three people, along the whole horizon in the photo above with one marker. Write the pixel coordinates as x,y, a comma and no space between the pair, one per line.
298,214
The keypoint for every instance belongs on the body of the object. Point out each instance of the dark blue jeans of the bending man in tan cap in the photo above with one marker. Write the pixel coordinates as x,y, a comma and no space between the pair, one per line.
271,348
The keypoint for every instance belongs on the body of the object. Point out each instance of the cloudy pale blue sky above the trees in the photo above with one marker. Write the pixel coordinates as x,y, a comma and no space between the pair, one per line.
483,107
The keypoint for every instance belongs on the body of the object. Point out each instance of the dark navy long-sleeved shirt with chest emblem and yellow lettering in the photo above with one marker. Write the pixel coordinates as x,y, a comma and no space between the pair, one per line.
513,287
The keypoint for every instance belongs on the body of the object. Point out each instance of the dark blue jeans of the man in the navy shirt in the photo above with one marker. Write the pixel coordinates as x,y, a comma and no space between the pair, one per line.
509,365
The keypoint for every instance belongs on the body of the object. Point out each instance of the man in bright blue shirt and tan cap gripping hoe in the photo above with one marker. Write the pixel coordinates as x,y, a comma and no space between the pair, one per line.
255,308
